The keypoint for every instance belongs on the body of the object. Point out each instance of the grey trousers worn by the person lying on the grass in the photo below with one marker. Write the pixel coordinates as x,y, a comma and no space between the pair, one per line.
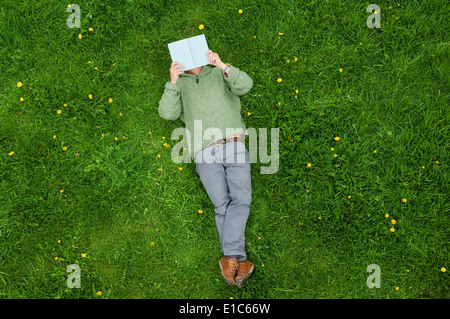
225,173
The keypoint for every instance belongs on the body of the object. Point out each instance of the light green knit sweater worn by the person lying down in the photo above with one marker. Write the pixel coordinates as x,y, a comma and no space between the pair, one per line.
208,104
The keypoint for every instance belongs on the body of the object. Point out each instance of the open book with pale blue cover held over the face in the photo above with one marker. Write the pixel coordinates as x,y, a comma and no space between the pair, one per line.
190,51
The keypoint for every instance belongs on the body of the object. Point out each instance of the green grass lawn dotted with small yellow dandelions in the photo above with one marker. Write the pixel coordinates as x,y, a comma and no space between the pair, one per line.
140,228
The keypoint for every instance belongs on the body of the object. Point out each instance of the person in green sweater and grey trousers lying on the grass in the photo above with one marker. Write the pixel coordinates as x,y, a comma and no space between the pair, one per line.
207,99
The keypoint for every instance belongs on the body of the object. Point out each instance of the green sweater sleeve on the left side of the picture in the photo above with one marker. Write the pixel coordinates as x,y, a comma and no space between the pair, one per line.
170,106
